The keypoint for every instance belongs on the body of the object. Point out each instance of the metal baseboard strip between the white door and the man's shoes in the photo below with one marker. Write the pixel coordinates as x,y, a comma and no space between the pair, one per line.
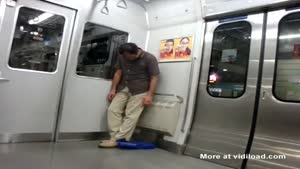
80,136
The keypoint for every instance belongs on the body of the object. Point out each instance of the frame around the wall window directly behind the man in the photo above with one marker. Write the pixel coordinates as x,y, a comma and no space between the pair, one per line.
81,38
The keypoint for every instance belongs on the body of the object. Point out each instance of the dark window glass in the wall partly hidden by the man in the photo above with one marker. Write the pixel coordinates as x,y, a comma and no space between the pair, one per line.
98,51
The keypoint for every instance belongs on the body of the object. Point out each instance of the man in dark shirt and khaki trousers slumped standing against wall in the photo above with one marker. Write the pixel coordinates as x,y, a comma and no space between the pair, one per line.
133,87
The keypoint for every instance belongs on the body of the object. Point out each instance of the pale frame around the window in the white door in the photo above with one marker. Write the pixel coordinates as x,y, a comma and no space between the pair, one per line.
12,41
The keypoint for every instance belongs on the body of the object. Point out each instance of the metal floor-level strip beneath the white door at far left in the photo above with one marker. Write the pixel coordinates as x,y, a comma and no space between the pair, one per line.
25,137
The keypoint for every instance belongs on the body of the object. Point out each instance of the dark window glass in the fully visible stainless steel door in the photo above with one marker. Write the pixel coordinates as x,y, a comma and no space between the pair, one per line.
229,60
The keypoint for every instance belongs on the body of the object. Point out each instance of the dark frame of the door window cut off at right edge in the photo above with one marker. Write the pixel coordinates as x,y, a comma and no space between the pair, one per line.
276,61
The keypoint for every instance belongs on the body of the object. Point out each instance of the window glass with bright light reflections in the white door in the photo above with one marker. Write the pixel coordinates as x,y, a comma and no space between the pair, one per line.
37,40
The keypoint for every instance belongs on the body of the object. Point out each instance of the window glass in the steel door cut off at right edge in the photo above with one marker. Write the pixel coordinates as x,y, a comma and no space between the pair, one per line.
287,73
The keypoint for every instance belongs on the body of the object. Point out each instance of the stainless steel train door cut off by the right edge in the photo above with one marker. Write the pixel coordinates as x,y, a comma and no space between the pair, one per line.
278,122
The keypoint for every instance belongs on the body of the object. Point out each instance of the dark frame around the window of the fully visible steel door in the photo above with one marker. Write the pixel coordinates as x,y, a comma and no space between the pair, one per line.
247,66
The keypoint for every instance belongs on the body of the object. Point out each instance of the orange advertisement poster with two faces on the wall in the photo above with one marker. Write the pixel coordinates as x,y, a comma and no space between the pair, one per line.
177,49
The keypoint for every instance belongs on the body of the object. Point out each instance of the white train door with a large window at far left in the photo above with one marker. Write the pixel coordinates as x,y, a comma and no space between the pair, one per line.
34,44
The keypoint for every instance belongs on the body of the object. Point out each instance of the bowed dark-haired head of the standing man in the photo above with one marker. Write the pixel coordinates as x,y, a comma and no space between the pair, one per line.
129,51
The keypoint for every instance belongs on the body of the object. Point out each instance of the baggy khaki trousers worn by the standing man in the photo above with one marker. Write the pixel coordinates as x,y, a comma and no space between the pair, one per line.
123,114
